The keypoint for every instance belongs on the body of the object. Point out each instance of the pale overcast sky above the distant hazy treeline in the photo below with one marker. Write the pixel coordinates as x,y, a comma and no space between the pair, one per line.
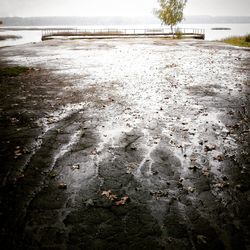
117,7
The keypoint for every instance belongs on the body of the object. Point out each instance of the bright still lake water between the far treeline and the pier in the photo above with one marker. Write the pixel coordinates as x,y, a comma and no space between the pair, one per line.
29,36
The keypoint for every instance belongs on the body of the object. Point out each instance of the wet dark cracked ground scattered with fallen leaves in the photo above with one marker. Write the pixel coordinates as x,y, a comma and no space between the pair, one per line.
125,144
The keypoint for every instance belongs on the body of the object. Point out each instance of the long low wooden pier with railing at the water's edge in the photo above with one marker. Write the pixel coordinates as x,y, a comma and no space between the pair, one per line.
114,33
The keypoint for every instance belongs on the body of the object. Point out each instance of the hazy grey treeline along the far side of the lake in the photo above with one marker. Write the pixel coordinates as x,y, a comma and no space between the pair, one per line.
54,21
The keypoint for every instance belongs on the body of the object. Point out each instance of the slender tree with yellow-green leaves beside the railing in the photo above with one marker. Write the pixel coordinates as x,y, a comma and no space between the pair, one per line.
171,12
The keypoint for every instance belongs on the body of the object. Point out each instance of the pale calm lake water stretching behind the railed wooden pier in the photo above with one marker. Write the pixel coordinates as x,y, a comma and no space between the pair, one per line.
34,33
